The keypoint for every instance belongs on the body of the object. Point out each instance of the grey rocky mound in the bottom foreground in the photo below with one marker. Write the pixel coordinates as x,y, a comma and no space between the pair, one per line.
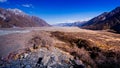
44,58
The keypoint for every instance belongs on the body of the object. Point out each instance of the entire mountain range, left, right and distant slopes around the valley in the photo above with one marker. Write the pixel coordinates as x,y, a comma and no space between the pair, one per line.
17,18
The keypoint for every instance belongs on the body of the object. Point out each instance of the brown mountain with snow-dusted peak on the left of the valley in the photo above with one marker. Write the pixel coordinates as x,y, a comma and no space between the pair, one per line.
17,18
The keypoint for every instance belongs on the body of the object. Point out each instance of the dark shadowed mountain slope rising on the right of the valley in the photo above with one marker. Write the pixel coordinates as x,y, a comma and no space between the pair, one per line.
107,20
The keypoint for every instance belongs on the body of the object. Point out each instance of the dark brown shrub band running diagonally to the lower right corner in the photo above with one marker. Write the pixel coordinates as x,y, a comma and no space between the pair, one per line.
94,54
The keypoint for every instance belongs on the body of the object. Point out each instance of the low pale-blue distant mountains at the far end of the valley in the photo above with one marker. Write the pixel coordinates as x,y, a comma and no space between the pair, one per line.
78,24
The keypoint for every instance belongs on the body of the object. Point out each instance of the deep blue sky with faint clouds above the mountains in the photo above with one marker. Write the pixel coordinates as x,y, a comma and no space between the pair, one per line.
62,11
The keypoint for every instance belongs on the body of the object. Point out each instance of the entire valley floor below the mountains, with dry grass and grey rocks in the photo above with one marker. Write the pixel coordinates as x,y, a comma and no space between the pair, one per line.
58,47
